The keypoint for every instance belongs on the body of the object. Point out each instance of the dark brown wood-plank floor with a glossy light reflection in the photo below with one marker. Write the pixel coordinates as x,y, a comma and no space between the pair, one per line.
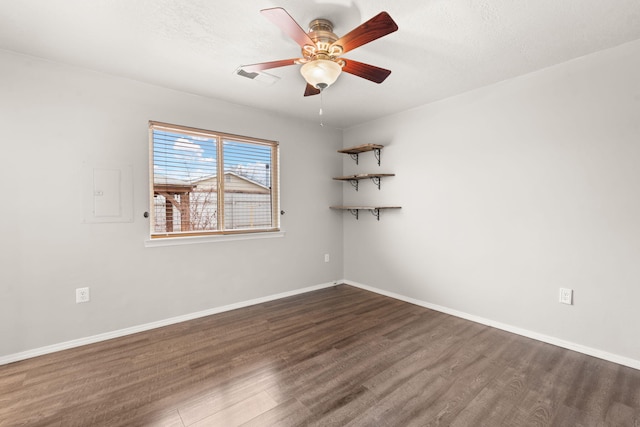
335,357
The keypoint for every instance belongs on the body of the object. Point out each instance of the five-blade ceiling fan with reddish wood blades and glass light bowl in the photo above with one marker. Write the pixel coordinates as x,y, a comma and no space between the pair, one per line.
322,50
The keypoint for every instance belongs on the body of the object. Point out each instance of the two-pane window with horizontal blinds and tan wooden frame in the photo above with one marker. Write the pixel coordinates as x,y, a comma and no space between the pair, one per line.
205,182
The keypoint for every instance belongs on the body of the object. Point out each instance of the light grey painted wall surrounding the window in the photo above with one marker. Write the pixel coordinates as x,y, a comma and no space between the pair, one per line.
57,120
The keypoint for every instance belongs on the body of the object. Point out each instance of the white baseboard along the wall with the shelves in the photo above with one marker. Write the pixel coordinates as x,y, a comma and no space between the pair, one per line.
621,360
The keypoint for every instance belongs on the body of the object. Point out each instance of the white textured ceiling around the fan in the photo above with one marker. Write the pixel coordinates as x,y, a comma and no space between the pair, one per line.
442,47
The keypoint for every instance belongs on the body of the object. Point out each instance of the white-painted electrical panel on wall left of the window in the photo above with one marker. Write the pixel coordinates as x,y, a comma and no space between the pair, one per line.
108,194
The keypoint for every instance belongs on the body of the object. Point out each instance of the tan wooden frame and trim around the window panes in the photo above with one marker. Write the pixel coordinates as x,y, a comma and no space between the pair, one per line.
220,137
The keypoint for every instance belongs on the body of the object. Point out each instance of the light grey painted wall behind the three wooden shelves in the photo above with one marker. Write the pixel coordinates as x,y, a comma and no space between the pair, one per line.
509,193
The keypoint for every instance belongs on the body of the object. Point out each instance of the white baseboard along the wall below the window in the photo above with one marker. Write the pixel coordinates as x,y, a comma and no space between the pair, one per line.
153,325
